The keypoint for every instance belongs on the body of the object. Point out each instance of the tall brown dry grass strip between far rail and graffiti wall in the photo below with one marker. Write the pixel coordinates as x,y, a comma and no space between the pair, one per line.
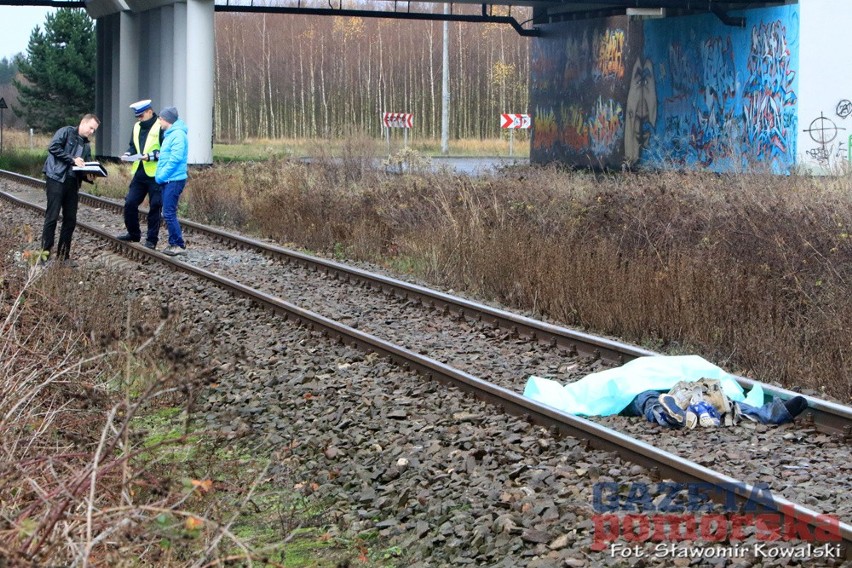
751,271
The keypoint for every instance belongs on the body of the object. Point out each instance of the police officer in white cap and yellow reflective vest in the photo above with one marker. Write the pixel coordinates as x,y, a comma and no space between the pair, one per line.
144,151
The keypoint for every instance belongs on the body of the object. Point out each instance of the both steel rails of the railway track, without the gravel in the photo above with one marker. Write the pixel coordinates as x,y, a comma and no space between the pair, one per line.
826,416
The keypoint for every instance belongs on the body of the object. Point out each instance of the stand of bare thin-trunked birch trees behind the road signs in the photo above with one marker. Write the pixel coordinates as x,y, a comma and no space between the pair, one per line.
345,72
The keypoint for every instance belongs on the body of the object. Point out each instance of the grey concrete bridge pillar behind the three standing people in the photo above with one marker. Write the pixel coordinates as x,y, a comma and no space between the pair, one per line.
154,49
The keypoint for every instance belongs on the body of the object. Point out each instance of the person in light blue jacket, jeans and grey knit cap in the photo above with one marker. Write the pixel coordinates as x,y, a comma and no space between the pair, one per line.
171,175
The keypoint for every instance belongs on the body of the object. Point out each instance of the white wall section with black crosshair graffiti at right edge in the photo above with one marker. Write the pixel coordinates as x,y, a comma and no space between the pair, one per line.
825,83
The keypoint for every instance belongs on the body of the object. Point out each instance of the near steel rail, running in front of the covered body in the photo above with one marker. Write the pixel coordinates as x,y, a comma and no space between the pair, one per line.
662,464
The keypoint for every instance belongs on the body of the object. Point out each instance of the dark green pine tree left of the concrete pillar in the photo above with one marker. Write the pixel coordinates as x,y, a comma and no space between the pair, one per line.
59,71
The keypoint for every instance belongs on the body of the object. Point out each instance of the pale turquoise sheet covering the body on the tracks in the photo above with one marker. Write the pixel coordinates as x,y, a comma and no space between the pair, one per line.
610,391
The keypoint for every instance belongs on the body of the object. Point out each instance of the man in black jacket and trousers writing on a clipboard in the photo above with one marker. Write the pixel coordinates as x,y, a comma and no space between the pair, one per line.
68,148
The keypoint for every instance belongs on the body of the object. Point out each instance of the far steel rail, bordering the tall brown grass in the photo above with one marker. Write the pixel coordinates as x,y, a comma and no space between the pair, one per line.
826,416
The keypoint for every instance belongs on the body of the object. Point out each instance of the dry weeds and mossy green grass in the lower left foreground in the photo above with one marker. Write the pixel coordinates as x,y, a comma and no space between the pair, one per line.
100,461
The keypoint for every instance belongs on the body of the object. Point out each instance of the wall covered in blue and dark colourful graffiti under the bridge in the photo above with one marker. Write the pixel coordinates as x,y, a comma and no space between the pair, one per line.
684,92
